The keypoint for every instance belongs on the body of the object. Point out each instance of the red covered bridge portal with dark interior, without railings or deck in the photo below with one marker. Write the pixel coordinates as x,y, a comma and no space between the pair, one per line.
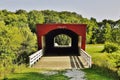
47,32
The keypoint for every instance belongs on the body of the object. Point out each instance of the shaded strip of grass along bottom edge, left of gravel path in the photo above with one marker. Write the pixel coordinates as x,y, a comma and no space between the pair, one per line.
36,76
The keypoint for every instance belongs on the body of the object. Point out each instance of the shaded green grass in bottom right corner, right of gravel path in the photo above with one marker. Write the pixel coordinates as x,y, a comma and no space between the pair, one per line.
101,73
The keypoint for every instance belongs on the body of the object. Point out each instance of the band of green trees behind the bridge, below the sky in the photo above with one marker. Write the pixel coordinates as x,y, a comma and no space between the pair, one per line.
97,32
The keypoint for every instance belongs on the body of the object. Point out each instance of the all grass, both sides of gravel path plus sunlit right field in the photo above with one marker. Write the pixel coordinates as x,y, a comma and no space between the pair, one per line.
94,73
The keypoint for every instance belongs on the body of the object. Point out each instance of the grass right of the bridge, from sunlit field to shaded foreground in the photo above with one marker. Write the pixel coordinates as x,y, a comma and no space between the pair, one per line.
97,73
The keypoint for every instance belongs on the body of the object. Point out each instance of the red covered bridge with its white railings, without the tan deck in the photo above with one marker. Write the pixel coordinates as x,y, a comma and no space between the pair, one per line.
46,34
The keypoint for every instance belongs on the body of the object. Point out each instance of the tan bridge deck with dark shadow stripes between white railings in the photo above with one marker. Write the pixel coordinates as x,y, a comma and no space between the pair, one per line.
59,62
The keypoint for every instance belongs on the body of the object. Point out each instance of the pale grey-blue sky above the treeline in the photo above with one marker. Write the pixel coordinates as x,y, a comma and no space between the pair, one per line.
99,9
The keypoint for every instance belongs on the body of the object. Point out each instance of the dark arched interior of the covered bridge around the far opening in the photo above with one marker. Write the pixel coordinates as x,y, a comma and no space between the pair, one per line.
51,50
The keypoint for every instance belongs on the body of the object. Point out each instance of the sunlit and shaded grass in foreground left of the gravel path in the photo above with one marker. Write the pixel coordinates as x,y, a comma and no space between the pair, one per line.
23,73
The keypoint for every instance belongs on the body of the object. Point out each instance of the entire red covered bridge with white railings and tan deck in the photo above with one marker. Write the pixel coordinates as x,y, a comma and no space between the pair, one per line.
61,46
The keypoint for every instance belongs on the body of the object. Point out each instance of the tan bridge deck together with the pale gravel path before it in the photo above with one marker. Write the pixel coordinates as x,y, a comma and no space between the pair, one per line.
72,64
